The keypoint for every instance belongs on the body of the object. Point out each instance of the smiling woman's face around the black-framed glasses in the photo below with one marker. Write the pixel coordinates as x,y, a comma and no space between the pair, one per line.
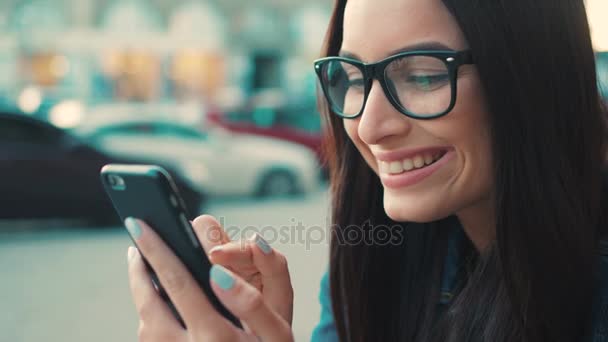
388,140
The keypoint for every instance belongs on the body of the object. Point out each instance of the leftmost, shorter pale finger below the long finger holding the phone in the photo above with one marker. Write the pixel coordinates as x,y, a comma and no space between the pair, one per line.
150,307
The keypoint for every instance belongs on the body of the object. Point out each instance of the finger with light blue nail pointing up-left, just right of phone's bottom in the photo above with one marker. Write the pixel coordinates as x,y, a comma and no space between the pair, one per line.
248,304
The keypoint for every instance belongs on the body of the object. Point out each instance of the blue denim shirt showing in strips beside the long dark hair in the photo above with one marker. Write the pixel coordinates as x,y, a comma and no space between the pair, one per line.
325,331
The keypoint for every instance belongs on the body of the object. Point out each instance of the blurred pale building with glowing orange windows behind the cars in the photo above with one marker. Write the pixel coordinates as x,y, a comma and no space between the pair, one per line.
150,50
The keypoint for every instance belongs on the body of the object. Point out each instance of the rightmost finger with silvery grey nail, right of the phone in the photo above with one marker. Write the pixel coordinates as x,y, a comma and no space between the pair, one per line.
272,265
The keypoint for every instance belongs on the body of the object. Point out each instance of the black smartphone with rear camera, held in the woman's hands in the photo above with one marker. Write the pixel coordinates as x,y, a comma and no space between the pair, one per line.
147,192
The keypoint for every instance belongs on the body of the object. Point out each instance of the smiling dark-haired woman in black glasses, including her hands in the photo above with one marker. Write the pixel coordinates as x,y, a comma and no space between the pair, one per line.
473,128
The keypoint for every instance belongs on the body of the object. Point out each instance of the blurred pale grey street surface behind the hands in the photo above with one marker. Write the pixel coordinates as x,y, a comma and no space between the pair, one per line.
70,285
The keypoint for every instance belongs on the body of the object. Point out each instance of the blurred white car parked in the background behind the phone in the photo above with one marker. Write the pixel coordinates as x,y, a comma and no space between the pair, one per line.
216,162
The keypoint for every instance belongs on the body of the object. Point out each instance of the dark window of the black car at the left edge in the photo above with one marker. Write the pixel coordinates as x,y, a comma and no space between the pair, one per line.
28,132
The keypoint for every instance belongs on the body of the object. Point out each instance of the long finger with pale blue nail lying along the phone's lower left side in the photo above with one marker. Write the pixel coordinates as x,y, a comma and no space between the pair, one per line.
177,281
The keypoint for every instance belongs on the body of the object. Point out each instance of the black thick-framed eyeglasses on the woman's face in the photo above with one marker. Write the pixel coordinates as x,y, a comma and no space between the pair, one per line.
419,84
